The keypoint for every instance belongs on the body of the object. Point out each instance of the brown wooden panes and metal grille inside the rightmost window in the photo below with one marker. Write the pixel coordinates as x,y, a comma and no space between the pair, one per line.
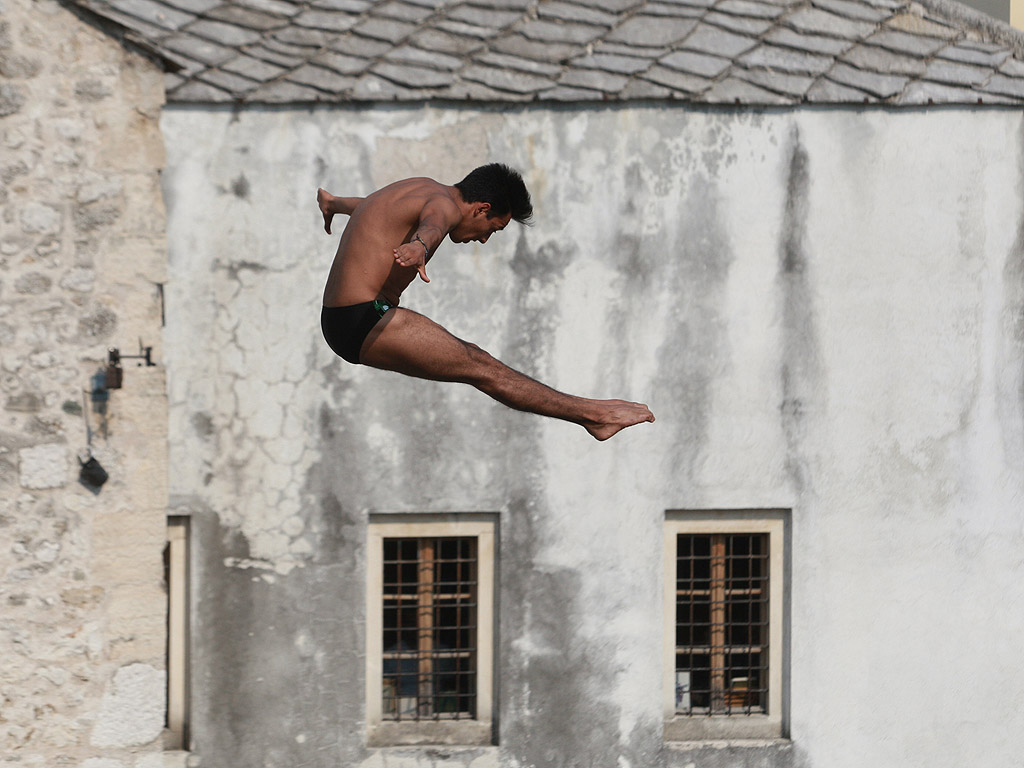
722,616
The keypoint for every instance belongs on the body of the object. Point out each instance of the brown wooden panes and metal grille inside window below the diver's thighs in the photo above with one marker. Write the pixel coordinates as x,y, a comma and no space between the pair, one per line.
430,628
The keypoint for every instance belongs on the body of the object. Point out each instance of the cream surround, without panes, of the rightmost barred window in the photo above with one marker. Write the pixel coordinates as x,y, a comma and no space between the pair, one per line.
733,727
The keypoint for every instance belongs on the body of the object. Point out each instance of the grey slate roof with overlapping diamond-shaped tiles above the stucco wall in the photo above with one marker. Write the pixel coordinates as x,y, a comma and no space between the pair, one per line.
756,53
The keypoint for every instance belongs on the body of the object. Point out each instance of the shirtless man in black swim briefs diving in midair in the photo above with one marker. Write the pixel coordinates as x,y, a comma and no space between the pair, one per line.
389,240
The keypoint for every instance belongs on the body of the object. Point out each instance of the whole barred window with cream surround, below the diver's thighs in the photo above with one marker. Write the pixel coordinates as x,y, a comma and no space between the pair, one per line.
431,591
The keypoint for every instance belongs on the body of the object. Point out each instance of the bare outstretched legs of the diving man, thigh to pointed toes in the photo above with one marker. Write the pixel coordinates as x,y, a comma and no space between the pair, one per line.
410,344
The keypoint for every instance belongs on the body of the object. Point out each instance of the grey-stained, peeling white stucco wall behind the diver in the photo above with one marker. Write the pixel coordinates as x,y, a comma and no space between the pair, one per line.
824,309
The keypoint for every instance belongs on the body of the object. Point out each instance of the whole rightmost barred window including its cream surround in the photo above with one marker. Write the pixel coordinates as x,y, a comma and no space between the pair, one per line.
724,625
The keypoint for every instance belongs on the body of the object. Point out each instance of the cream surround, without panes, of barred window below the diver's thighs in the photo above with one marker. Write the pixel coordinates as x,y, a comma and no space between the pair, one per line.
475,732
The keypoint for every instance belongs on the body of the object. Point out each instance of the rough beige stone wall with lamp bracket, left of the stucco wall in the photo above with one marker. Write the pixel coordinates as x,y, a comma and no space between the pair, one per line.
82,265
